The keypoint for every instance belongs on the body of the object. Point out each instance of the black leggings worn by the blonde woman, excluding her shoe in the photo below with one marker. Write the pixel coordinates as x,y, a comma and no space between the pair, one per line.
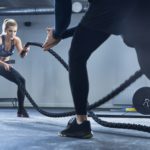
11,75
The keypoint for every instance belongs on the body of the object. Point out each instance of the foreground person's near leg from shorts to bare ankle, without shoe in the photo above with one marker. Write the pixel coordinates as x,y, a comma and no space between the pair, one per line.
84,42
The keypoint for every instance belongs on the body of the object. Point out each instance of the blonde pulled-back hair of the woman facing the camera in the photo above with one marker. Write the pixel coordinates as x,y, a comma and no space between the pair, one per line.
7,23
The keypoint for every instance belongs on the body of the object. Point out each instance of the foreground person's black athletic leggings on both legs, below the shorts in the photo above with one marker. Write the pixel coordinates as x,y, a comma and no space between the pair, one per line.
86,41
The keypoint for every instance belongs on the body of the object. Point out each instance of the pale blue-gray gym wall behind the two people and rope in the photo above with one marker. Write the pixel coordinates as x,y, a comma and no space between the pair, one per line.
47,80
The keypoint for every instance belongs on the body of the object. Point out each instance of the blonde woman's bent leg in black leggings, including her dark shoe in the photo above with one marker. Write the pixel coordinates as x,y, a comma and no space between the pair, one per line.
13,76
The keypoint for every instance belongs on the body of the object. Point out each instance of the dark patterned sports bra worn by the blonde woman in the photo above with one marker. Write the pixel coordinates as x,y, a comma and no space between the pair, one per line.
6,53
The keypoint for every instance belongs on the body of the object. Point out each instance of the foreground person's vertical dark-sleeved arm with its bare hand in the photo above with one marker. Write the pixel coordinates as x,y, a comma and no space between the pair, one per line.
63,10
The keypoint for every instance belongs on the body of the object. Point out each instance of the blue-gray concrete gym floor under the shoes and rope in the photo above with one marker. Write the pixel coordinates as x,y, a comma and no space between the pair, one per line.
41,133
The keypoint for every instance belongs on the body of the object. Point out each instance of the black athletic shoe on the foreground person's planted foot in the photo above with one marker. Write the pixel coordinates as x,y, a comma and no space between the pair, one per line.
75,130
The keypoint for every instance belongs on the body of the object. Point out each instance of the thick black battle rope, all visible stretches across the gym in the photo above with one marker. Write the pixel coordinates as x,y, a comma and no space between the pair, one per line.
94,105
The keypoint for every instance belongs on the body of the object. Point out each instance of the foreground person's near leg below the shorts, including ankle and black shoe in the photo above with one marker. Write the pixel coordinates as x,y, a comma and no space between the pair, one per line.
84,42
